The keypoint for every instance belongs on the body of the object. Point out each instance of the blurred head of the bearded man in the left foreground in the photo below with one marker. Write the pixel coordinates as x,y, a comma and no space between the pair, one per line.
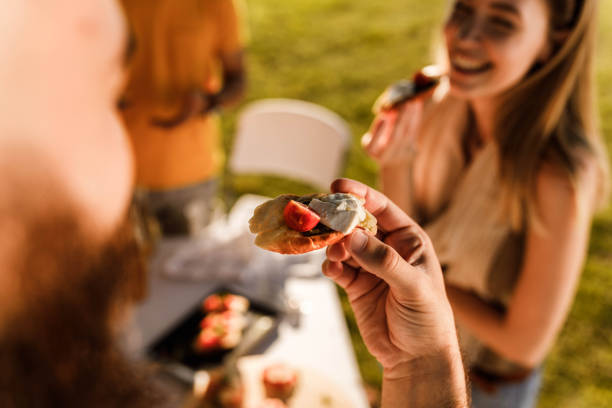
65,262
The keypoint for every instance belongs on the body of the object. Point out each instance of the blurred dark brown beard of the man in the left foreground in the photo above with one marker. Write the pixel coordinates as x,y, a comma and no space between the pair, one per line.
57,347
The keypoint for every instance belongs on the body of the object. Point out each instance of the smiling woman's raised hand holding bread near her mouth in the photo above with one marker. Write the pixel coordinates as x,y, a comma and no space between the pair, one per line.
392,136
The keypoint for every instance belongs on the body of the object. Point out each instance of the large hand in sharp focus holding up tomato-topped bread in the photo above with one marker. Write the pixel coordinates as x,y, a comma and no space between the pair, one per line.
395,286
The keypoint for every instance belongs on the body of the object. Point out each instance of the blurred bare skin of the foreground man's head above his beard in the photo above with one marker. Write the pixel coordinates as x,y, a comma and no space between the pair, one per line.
60,72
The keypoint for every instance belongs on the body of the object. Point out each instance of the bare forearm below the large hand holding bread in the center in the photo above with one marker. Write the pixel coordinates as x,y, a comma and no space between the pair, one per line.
436,382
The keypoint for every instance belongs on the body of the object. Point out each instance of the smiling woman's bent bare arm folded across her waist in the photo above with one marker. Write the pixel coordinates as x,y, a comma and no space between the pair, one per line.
548,279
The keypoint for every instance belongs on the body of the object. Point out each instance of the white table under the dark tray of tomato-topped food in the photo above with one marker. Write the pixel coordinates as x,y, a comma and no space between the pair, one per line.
321,341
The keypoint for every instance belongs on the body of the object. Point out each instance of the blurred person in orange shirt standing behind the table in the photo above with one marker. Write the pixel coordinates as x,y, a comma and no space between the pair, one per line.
187,63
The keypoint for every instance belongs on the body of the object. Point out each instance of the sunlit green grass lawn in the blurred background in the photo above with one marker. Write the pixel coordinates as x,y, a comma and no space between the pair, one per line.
341,54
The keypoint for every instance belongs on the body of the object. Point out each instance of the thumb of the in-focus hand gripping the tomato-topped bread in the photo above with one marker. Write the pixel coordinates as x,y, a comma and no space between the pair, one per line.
380,259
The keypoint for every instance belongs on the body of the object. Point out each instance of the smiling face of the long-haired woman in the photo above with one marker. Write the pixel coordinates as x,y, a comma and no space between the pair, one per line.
491,48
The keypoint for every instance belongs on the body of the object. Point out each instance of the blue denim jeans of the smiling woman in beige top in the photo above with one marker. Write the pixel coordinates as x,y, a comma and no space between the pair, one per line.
516,395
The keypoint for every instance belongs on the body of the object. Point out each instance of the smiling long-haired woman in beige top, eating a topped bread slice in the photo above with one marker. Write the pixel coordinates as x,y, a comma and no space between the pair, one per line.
507,184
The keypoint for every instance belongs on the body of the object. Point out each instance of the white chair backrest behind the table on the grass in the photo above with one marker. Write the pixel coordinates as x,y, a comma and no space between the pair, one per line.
290,138
